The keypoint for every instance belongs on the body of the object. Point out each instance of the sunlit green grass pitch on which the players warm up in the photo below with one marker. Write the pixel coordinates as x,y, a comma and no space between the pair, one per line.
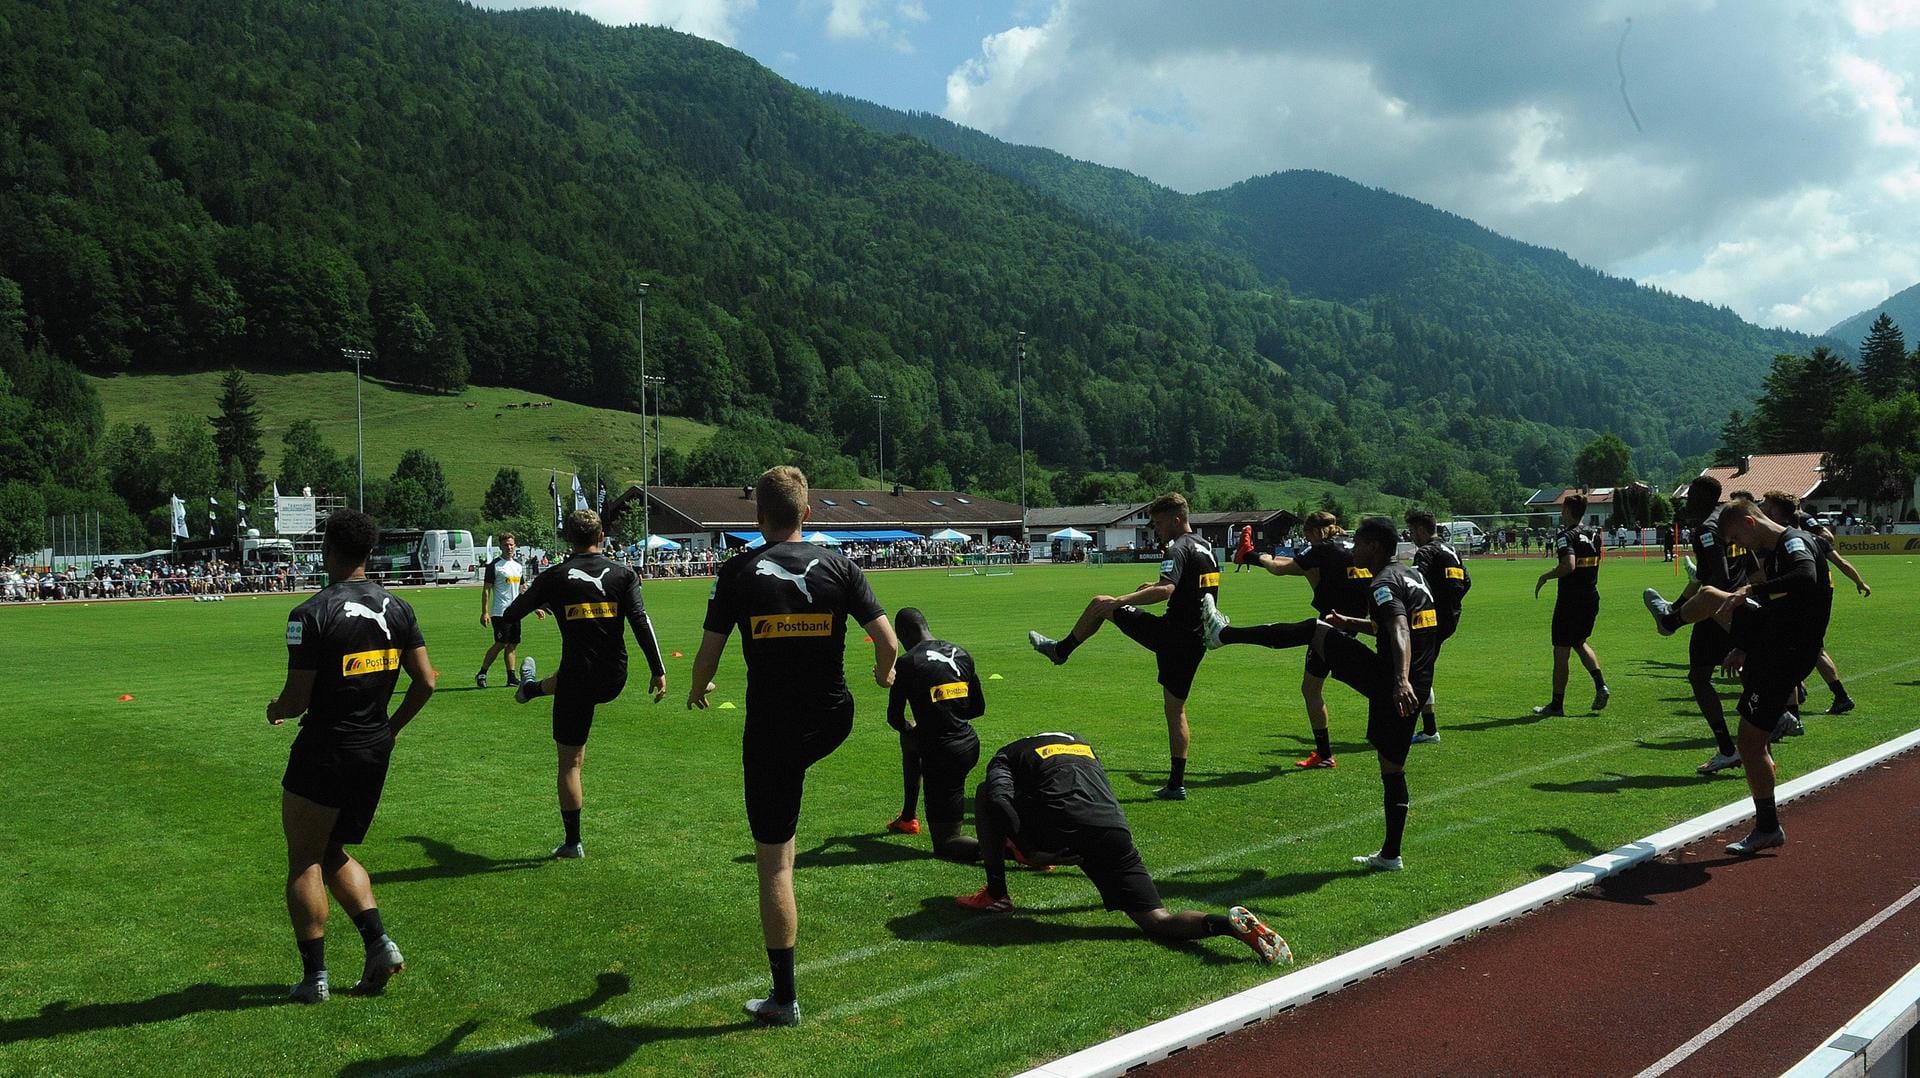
143,858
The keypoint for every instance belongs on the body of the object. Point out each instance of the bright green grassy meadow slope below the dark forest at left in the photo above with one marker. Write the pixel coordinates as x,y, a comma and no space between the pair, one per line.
469,443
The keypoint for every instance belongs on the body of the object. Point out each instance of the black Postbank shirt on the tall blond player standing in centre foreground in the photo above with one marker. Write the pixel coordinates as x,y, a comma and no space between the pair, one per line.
792,602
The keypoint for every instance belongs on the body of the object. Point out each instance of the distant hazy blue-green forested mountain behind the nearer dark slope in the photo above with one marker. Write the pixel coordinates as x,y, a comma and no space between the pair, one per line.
1552,339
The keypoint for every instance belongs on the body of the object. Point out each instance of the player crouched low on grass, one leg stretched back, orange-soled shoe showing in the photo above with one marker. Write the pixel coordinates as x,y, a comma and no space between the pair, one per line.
1047,798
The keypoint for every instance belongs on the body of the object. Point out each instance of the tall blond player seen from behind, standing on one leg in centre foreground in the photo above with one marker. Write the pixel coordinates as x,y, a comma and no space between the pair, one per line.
790,602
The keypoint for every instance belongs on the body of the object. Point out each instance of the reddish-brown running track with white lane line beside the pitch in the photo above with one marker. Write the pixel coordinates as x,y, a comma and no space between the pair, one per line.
1629,971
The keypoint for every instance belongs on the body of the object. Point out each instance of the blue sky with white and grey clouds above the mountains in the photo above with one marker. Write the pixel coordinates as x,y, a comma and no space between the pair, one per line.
1762,155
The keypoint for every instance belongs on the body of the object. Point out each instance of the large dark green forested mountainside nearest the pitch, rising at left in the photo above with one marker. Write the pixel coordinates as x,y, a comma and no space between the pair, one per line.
477,197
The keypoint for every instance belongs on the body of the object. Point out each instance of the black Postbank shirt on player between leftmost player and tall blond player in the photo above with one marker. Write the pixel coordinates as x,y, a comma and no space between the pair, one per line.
592,597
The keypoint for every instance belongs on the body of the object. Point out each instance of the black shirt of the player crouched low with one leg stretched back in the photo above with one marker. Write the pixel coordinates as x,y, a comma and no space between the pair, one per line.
1051,787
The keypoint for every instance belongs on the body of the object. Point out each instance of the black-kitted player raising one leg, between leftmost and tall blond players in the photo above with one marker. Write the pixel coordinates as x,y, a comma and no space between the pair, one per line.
592,597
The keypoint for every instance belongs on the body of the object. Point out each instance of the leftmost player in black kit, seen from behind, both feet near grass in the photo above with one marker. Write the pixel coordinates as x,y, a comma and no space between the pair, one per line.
345,652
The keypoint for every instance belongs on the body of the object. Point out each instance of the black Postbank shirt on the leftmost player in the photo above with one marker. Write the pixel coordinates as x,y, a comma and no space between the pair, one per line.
352,637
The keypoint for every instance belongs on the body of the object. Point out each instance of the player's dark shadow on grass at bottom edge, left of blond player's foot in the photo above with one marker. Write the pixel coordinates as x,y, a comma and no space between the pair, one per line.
575,1042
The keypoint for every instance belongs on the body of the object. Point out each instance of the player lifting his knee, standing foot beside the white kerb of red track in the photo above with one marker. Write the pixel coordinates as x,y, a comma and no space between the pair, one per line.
1779,627
